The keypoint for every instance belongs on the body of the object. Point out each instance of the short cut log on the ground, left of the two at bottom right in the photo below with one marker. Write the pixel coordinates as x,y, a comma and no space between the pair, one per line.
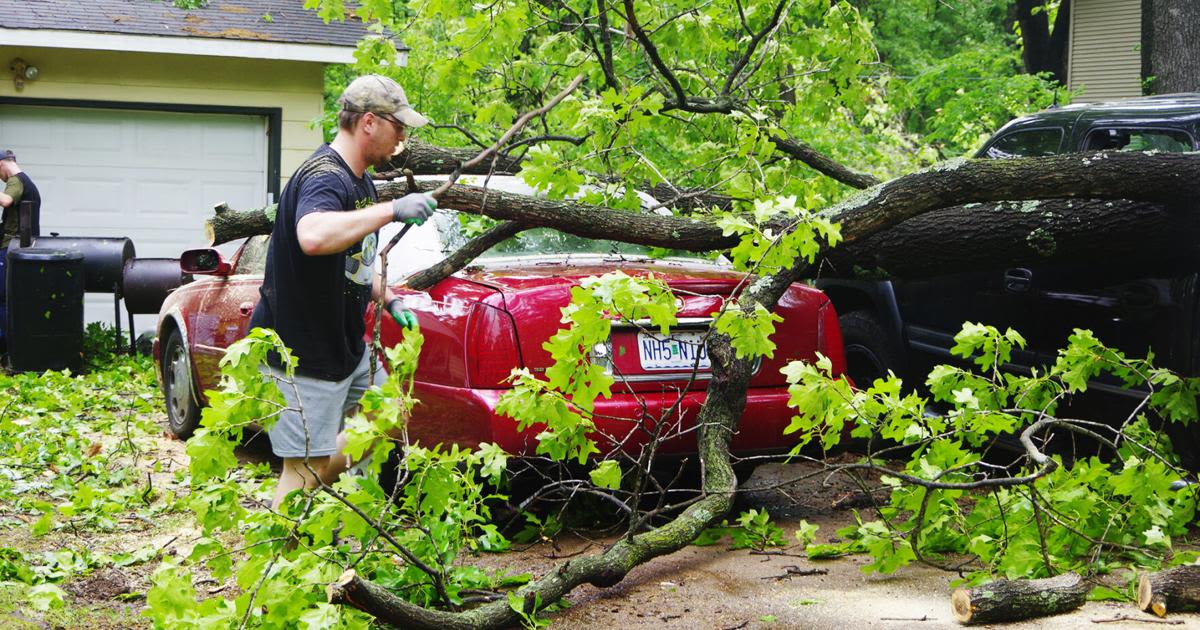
1007,601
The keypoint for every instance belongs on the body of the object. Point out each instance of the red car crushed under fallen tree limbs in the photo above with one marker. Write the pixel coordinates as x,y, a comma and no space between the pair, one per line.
495,316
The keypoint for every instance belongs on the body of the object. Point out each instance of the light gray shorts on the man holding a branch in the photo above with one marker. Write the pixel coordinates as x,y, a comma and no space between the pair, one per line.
326,405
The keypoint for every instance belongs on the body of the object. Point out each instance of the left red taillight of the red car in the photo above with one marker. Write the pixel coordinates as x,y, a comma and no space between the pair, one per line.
491,347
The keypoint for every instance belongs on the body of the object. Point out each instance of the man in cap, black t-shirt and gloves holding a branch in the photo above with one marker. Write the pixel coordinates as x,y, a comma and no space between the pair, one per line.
321,275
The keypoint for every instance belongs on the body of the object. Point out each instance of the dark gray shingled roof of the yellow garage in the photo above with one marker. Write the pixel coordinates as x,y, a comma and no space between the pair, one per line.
275,21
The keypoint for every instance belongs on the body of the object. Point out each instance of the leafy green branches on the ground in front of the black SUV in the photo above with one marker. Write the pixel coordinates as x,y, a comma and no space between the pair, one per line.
1051,509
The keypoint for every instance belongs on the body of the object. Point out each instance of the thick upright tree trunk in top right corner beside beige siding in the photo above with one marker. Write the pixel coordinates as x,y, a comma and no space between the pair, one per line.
1172,45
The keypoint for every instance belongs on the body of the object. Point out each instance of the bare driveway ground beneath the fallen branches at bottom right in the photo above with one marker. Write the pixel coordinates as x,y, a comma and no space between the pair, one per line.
717,589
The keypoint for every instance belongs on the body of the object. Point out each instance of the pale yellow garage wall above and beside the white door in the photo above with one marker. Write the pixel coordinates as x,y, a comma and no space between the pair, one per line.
292,87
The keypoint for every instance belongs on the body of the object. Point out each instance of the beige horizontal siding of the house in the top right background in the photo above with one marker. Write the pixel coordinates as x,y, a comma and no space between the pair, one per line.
1105,58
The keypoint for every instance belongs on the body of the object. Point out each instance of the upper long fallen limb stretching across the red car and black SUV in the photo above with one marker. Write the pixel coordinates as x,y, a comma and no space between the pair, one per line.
1163,178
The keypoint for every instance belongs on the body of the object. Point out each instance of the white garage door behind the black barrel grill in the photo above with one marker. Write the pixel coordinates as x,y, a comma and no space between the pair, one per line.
153,177
